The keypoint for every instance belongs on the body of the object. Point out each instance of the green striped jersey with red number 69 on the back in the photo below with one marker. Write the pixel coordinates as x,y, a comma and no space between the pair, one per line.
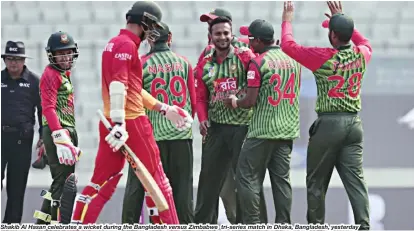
166,76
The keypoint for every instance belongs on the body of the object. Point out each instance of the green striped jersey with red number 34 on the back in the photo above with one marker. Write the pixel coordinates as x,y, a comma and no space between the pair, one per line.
276,113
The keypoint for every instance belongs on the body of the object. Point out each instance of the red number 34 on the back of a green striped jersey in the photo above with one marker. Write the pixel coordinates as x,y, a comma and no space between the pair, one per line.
288,91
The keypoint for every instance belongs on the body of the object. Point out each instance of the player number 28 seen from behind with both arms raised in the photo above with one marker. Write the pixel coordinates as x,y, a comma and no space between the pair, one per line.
336,137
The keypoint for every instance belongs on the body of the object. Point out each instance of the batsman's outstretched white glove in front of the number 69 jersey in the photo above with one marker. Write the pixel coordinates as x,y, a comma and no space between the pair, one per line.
181,119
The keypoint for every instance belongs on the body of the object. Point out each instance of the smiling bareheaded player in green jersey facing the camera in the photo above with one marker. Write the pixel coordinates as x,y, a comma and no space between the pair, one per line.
218,75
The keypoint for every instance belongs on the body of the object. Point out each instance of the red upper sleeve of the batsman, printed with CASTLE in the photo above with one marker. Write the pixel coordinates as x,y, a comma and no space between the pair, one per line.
121,62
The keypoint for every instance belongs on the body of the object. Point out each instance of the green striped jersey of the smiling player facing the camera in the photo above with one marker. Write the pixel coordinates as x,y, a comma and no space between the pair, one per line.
223,79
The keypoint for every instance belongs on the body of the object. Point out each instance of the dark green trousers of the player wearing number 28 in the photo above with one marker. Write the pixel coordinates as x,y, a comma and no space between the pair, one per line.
336,140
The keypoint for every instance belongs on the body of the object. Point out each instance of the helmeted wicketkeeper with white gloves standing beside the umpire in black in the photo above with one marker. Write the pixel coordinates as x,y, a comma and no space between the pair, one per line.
59,135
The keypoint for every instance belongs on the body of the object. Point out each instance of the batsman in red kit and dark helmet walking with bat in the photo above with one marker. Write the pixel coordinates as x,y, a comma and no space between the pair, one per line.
124,102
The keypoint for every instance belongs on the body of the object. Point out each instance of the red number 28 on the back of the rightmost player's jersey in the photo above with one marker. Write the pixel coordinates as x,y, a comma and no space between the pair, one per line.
354,86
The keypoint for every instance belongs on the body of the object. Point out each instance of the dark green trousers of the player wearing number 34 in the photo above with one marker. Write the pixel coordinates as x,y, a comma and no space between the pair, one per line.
256,156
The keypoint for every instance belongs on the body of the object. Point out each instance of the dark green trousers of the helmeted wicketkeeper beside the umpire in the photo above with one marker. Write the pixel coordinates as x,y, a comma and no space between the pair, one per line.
59,172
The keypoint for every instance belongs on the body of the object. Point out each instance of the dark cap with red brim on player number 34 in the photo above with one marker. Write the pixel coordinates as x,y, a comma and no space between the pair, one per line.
259,28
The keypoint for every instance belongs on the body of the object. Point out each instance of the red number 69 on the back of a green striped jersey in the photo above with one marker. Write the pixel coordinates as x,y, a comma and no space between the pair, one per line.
159,85
